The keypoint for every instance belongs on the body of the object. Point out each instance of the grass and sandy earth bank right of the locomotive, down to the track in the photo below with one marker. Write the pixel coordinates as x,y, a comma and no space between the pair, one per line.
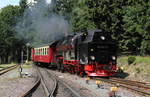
139,70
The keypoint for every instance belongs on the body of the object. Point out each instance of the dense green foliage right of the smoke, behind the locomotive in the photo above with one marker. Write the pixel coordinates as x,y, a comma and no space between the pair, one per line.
127,20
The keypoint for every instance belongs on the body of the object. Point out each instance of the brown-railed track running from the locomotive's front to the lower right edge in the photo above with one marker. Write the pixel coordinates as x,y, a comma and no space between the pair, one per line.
139,87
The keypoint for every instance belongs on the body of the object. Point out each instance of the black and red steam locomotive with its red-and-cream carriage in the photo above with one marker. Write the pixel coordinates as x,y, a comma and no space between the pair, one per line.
92,53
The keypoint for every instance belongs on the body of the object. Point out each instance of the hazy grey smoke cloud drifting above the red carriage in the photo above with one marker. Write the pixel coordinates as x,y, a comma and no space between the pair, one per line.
40,25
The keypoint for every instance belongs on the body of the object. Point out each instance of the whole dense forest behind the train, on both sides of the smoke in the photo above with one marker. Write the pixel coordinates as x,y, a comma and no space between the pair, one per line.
127,20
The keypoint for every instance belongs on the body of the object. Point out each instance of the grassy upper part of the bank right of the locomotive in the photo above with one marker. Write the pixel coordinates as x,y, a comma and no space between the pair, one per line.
140,66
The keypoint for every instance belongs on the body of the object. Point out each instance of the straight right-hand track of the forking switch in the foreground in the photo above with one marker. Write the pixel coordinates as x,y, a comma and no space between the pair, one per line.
55,87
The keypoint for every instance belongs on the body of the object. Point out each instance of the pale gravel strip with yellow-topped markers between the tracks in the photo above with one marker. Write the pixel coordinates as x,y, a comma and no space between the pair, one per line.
104,91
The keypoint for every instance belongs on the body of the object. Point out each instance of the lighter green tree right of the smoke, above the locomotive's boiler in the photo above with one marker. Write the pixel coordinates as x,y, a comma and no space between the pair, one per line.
77,13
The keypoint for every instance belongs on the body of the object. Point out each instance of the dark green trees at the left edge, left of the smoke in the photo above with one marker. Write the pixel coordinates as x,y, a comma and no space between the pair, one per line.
8,20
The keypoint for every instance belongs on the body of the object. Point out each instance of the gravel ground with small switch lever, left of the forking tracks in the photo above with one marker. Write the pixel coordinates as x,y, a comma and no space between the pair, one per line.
13,85
